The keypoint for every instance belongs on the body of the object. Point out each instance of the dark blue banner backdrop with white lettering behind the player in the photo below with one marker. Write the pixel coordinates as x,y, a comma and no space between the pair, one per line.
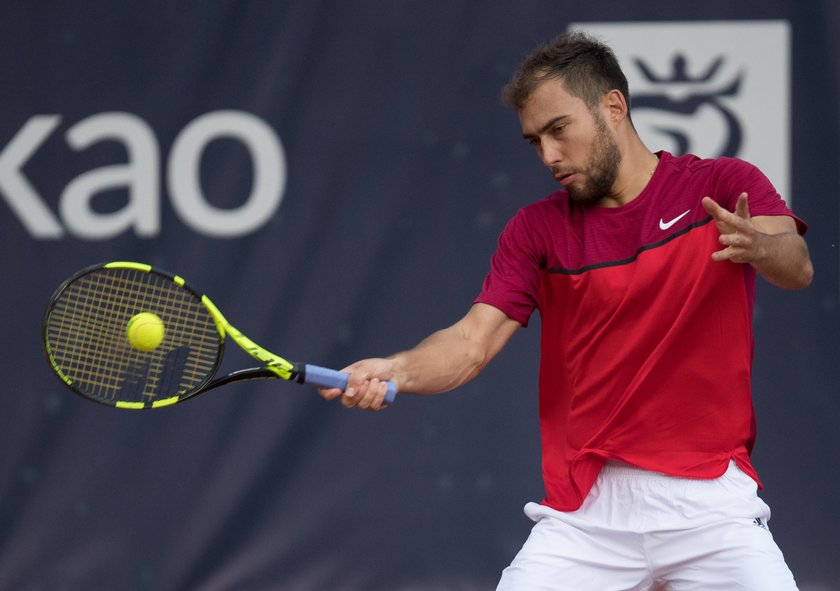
335,175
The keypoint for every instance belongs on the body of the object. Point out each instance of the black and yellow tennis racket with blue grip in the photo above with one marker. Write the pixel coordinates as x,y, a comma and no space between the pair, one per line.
93,347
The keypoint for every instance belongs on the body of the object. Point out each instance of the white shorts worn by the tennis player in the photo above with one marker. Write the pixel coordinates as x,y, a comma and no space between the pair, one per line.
638,530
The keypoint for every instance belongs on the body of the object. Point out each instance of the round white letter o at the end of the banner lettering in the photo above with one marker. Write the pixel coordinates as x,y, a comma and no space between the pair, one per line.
184,174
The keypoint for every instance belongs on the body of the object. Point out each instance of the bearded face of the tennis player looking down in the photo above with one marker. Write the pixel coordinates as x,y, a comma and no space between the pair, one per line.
572,141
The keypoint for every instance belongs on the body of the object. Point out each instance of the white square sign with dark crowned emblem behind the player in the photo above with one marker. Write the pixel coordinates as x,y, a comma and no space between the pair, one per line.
709,88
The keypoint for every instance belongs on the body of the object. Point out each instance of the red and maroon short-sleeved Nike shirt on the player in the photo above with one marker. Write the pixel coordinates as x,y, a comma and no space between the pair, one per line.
647,343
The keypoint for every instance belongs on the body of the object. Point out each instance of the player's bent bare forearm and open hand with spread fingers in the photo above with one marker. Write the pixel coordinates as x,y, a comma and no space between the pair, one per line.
771,244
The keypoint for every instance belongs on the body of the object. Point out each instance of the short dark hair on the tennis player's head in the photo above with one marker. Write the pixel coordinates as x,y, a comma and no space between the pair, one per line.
587,67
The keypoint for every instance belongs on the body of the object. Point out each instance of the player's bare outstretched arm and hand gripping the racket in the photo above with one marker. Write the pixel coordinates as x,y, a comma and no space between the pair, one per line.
444,361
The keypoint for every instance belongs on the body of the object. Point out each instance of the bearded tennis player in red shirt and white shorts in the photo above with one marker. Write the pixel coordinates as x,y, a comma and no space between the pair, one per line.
643,270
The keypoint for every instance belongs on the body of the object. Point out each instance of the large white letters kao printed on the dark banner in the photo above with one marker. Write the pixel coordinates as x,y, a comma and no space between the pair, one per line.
140,176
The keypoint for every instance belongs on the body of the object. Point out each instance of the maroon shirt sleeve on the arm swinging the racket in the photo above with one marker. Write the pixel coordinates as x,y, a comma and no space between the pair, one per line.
513,283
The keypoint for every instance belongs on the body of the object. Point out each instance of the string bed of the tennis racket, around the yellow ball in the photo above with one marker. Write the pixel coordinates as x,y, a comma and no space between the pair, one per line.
88,345
